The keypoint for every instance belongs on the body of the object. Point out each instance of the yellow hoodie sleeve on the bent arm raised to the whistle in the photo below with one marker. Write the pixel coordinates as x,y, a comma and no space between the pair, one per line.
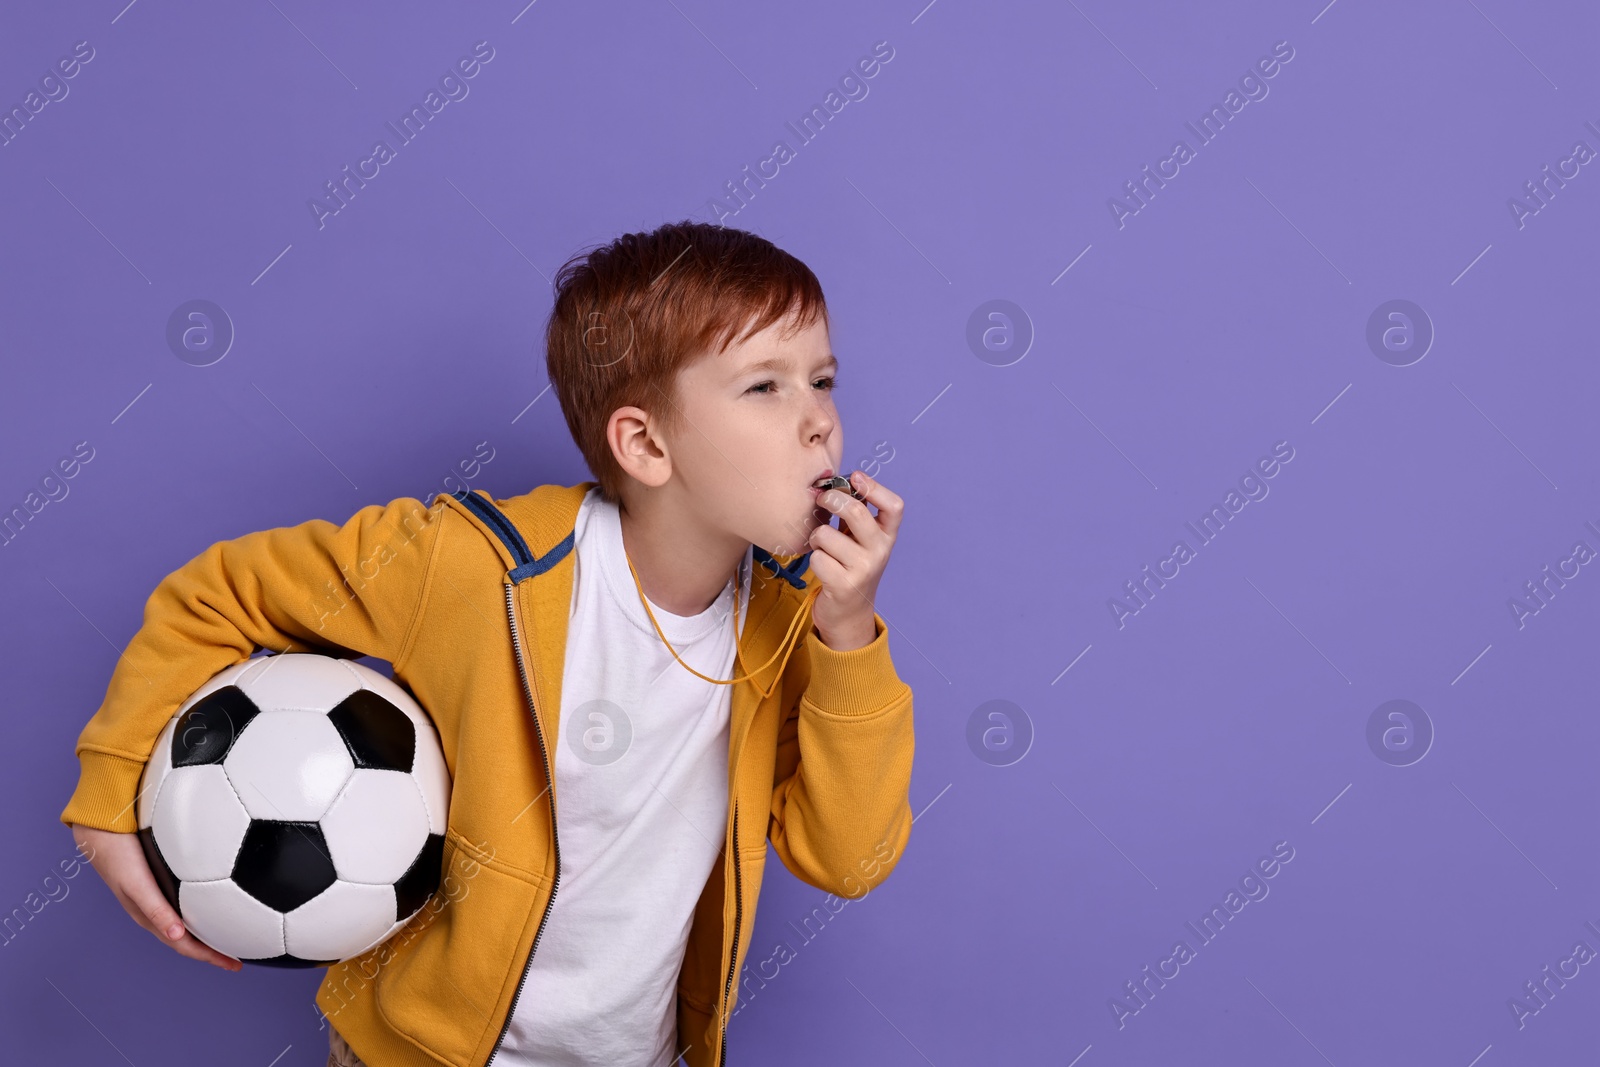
841,813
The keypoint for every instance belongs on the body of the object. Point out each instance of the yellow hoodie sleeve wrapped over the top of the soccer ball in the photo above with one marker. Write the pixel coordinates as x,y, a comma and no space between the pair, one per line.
346,591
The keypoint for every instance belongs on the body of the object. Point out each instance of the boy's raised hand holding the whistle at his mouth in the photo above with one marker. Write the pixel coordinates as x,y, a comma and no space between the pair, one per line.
850,562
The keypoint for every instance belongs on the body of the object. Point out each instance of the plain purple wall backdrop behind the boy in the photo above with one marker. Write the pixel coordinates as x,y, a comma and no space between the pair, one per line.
1226,316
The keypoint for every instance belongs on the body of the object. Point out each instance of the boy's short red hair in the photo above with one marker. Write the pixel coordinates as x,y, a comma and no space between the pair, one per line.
630,316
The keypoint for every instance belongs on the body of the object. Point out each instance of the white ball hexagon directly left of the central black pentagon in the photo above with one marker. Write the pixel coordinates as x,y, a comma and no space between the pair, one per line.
199,823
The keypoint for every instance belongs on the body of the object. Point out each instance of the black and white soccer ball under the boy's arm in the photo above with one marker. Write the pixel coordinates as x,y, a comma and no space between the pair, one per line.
294,810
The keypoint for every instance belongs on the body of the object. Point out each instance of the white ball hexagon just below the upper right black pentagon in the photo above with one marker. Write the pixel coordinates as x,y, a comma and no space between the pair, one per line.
377,826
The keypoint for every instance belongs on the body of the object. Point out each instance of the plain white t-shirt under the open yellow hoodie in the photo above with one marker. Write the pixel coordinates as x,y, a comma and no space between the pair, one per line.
642,810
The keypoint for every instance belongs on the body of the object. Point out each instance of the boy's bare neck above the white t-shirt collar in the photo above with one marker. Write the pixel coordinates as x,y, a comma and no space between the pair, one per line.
681,565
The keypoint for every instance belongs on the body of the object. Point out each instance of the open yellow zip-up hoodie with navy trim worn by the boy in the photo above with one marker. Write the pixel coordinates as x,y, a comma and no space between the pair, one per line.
468,599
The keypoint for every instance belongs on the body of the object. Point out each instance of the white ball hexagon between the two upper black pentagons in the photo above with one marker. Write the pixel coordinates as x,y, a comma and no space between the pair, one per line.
289,765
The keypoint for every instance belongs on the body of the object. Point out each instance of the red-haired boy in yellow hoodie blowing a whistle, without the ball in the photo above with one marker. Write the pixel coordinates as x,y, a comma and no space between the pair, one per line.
620,653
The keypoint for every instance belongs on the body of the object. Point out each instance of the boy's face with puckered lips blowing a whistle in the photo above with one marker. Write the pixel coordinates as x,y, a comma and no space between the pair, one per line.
759,428
